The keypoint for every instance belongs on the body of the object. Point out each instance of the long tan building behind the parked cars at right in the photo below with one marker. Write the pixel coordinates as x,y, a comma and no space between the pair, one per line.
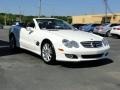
98,18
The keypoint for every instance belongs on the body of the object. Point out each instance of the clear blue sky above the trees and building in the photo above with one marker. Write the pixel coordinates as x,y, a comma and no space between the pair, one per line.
57,7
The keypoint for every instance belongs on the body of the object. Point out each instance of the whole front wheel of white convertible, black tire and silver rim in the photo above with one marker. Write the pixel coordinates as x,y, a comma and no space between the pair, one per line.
48,53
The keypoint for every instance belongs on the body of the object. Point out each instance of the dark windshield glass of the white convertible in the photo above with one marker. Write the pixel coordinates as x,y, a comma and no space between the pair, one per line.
54,24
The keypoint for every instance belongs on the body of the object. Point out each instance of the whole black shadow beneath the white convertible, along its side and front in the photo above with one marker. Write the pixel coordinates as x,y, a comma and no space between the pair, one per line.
83,64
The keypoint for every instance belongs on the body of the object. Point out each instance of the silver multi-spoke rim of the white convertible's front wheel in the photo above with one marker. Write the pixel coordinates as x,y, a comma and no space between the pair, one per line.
47,52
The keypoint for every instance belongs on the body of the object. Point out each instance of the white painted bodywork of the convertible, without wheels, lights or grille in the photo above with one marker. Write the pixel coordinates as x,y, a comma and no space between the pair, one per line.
27,39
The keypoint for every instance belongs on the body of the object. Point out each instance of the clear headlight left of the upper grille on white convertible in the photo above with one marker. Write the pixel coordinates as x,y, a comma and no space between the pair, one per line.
70,44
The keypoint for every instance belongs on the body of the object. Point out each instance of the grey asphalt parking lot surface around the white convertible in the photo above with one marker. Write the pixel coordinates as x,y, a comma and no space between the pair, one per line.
24,70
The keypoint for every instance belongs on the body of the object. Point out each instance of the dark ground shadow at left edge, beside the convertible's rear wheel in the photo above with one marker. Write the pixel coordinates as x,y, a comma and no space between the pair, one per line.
5,50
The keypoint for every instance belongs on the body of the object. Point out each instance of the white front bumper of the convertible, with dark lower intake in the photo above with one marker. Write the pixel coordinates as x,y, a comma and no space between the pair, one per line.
83,54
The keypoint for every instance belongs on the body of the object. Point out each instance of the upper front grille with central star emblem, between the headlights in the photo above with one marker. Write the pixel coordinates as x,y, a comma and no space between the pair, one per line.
92,44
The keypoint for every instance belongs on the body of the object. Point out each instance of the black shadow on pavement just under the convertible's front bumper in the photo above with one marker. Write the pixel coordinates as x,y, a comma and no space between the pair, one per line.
86,64
